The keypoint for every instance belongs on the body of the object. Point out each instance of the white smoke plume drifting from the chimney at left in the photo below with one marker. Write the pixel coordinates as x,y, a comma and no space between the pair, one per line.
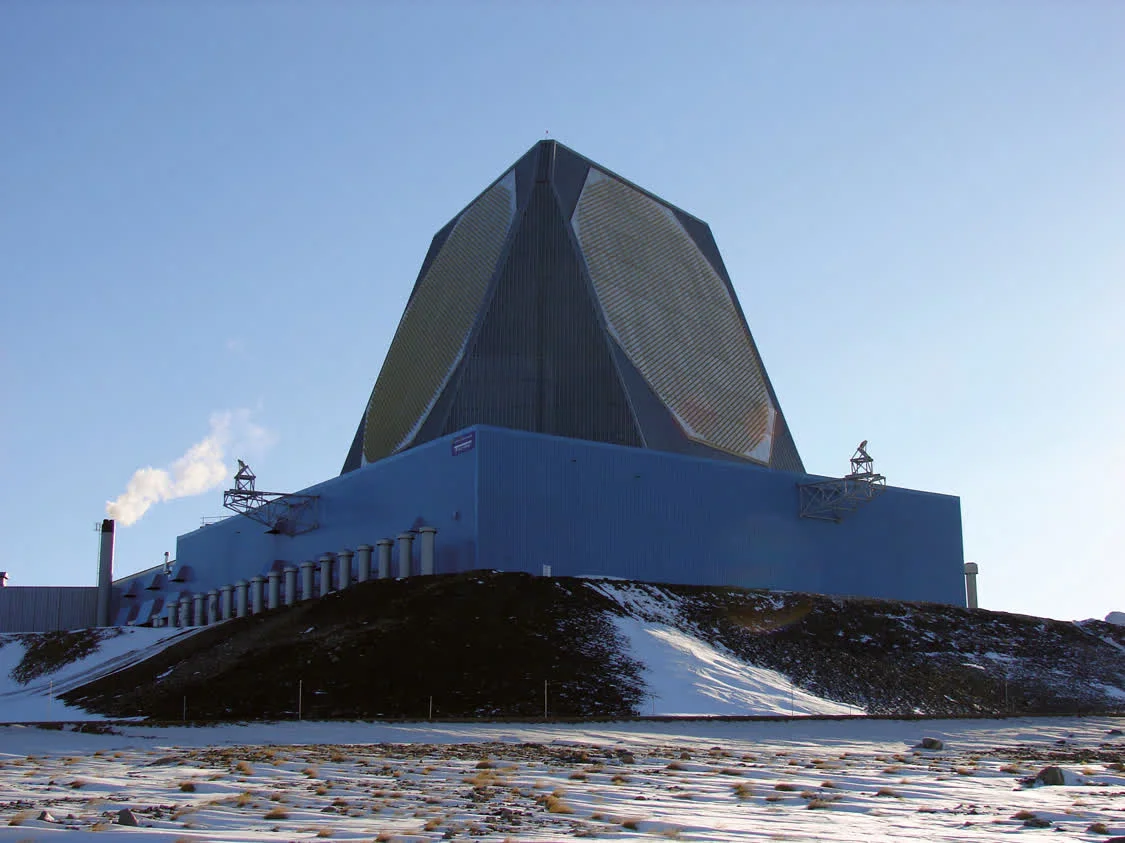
201,470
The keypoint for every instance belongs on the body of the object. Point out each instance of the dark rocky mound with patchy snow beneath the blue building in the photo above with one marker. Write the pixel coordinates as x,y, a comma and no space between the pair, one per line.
483,644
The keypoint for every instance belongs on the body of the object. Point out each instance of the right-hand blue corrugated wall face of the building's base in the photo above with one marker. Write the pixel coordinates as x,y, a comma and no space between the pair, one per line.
587,508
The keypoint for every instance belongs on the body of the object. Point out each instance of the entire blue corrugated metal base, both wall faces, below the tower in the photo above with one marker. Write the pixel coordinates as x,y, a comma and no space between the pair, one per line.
518,501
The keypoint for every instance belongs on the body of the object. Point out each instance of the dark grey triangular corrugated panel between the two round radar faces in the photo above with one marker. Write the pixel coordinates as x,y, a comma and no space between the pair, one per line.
541,361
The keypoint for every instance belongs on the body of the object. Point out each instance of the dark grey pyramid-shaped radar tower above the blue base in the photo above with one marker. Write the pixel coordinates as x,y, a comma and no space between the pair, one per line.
568,301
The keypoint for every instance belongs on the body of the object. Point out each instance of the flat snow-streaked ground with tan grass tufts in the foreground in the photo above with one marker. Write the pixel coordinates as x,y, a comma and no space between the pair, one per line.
798,781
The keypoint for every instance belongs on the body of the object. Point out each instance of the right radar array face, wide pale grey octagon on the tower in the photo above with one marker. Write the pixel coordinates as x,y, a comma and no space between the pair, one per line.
674,317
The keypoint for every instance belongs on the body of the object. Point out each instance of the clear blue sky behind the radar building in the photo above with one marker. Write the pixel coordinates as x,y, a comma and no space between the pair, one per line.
222,207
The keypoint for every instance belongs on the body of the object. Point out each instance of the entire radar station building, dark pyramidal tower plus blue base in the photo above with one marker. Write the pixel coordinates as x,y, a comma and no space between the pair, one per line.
574,390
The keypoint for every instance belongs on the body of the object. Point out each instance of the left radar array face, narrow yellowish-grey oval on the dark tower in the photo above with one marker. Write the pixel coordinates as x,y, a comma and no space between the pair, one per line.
436,326
